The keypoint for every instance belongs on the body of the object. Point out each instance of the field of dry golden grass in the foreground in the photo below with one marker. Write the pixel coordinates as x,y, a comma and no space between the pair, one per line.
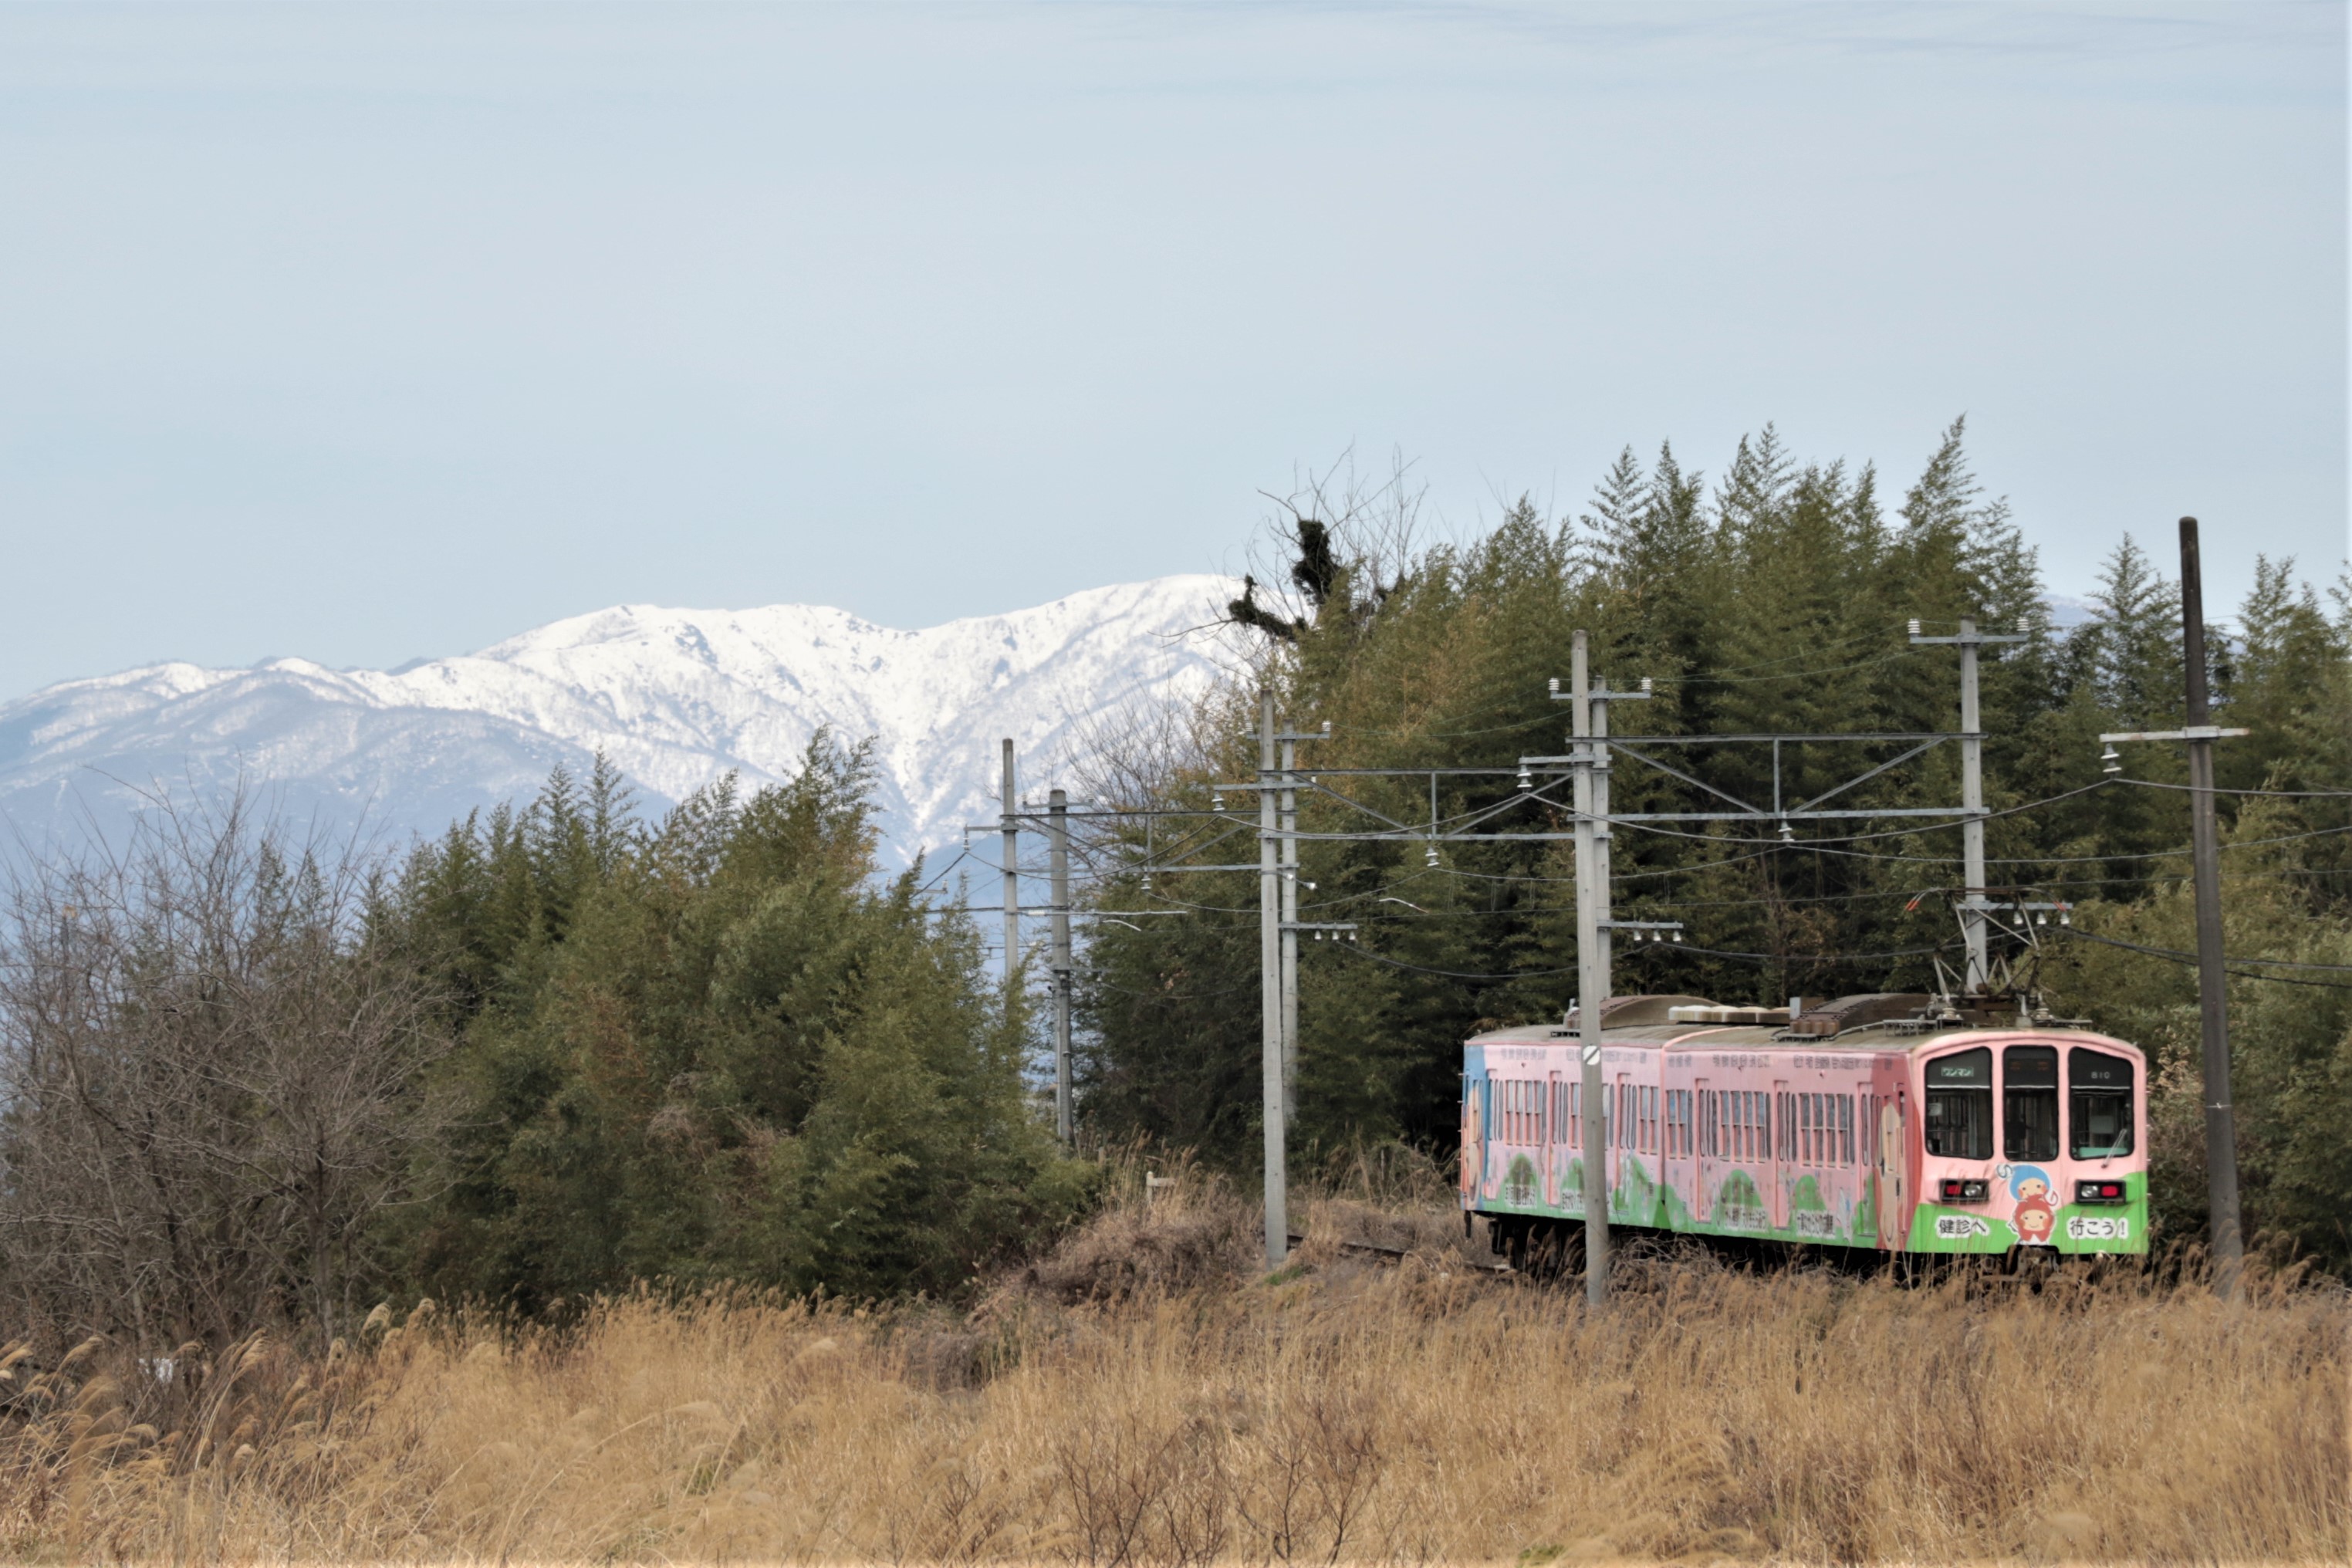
1142,1400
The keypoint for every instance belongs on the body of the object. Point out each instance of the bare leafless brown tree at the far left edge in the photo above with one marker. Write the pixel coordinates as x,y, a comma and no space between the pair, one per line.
211,1083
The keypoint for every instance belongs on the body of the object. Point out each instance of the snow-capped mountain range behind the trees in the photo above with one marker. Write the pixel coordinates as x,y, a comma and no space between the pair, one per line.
674,697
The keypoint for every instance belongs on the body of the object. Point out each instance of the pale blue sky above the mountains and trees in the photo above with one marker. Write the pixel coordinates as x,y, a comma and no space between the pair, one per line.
392,330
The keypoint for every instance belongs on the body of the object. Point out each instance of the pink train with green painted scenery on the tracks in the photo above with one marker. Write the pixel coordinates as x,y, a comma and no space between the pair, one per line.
1847,1130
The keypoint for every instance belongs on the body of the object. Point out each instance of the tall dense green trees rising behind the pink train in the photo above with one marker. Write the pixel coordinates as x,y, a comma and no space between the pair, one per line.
1770,601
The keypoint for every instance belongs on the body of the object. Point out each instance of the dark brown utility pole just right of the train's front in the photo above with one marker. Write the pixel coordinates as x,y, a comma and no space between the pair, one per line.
2212,986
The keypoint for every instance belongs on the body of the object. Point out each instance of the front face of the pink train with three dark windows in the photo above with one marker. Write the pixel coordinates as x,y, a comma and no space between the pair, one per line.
2029,1139
